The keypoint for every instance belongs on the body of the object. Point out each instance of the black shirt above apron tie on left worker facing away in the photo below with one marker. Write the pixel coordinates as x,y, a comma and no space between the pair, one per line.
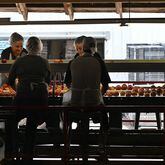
27,69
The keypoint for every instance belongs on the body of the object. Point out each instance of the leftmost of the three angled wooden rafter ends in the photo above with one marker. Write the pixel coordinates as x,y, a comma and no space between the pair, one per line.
22,9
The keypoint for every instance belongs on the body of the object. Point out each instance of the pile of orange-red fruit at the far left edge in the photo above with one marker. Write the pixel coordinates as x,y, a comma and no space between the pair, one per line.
6,90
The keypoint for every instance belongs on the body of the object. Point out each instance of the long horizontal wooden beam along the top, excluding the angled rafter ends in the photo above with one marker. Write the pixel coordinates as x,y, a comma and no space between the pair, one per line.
89,7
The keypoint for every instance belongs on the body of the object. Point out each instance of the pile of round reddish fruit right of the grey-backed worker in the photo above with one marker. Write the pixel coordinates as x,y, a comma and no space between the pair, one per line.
130,90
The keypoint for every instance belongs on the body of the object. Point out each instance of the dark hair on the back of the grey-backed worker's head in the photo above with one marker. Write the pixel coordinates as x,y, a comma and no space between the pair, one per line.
88,44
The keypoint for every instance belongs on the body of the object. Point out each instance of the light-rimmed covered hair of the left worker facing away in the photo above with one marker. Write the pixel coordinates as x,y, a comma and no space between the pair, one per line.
34,45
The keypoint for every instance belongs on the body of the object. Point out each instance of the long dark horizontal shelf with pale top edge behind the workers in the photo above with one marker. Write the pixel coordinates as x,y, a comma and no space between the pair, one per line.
112,65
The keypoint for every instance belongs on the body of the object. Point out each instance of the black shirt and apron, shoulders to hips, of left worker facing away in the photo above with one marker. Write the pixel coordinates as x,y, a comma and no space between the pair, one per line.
32,72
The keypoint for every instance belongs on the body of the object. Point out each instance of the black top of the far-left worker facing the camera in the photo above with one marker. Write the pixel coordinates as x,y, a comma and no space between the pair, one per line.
6,53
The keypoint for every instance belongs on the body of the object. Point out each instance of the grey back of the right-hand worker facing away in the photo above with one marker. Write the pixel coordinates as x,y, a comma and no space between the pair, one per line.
86,75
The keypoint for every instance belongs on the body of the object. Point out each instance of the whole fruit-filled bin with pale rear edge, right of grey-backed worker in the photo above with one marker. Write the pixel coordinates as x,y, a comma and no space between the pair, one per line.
135,89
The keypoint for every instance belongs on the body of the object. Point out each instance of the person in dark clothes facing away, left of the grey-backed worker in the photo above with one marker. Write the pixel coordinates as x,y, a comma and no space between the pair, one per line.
33,73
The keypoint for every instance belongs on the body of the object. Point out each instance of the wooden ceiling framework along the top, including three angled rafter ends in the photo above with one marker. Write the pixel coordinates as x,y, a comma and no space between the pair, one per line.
70,7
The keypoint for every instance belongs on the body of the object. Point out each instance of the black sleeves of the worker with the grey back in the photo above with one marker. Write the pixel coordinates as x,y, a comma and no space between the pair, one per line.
105,79
